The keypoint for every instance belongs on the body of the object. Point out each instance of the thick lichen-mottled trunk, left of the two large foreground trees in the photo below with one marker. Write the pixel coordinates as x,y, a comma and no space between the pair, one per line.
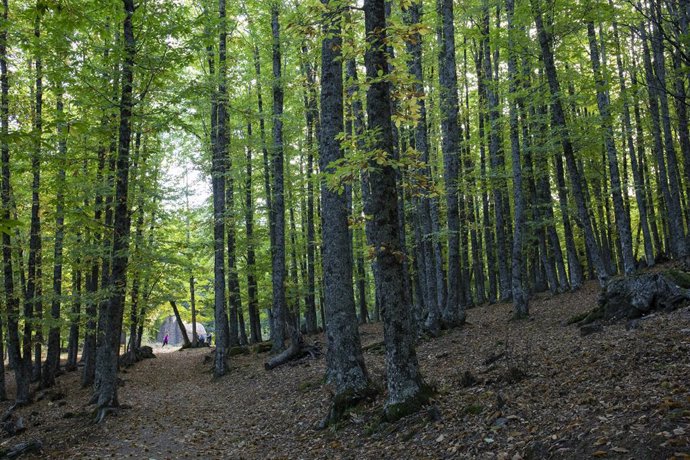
345,362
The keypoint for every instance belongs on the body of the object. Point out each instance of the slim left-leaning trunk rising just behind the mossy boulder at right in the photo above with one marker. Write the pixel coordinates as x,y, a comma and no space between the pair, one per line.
622,218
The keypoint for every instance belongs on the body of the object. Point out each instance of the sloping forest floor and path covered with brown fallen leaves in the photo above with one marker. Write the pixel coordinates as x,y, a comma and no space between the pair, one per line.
506,390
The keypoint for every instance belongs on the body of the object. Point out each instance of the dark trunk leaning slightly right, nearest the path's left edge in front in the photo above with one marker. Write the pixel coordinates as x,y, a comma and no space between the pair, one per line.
107,354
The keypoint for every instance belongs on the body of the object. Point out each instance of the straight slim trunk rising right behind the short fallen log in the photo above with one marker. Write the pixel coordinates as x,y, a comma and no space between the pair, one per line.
278,223
